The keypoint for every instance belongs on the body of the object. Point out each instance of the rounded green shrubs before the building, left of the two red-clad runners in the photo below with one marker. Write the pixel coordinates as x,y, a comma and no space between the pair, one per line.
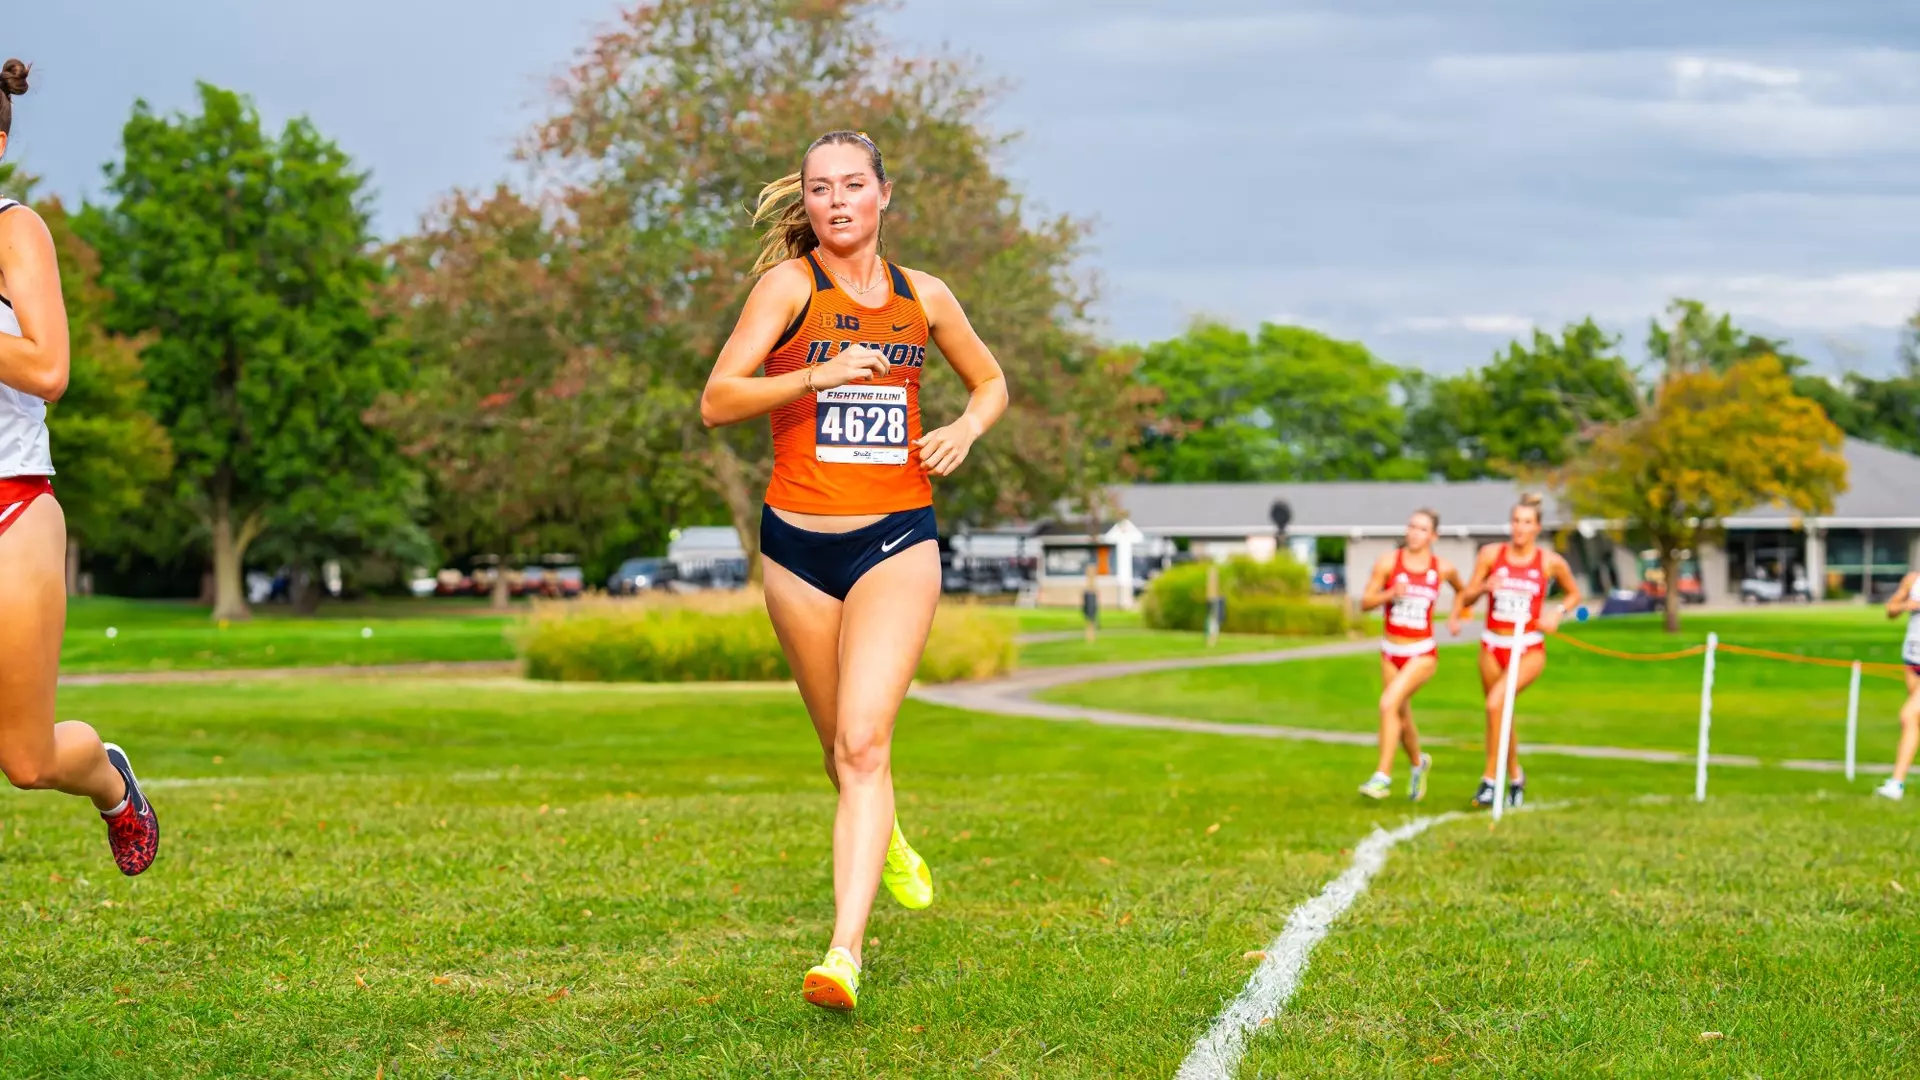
1262,599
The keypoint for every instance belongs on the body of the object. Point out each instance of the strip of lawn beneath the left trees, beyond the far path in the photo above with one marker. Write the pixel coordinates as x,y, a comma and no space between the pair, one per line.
180,637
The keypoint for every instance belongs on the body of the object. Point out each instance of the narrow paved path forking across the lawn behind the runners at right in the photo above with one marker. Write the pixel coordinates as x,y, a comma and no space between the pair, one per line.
1015,697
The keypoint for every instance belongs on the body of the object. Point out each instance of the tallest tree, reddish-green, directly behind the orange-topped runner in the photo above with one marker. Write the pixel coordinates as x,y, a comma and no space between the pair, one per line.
669,128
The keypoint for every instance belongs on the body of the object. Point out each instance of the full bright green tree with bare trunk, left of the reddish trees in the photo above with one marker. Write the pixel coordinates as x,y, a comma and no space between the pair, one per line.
247,262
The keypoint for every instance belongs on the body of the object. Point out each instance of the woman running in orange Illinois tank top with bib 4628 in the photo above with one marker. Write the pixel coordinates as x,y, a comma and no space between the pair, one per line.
848,531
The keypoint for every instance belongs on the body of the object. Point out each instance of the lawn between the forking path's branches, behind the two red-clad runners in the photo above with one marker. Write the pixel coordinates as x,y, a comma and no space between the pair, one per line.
1762,708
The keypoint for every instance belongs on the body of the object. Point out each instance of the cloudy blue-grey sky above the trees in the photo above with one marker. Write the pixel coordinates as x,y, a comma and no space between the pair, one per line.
1426,178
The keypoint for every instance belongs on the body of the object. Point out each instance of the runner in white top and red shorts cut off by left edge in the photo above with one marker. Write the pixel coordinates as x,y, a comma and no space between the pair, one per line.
36,752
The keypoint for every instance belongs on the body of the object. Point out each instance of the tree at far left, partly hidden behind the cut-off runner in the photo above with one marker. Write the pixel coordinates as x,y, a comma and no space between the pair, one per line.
112,456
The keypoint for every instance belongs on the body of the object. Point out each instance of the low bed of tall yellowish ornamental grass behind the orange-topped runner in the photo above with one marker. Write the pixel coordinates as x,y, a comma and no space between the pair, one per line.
723,639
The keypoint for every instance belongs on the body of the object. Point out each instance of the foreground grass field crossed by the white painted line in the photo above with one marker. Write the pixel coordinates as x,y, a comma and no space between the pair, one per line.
491,879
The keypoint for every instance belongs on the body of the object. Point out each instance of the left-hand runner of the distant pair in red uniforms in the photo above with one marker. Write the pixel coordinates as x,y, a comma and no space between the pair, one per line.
1408,585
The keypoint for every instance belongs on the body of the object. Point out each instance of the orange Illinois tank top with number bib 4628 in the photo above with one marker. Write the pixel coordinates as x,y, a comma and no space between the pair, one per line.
850,451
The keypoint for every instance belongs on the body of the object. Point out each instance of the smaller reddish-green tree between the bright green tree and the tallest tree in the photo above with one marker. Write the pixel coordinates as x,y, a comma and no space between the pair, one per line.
535,435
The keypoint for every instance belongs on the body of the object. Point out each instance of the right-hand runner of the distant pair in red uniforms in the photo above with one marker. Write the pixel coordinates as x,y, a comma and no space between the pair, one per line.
1518,577
